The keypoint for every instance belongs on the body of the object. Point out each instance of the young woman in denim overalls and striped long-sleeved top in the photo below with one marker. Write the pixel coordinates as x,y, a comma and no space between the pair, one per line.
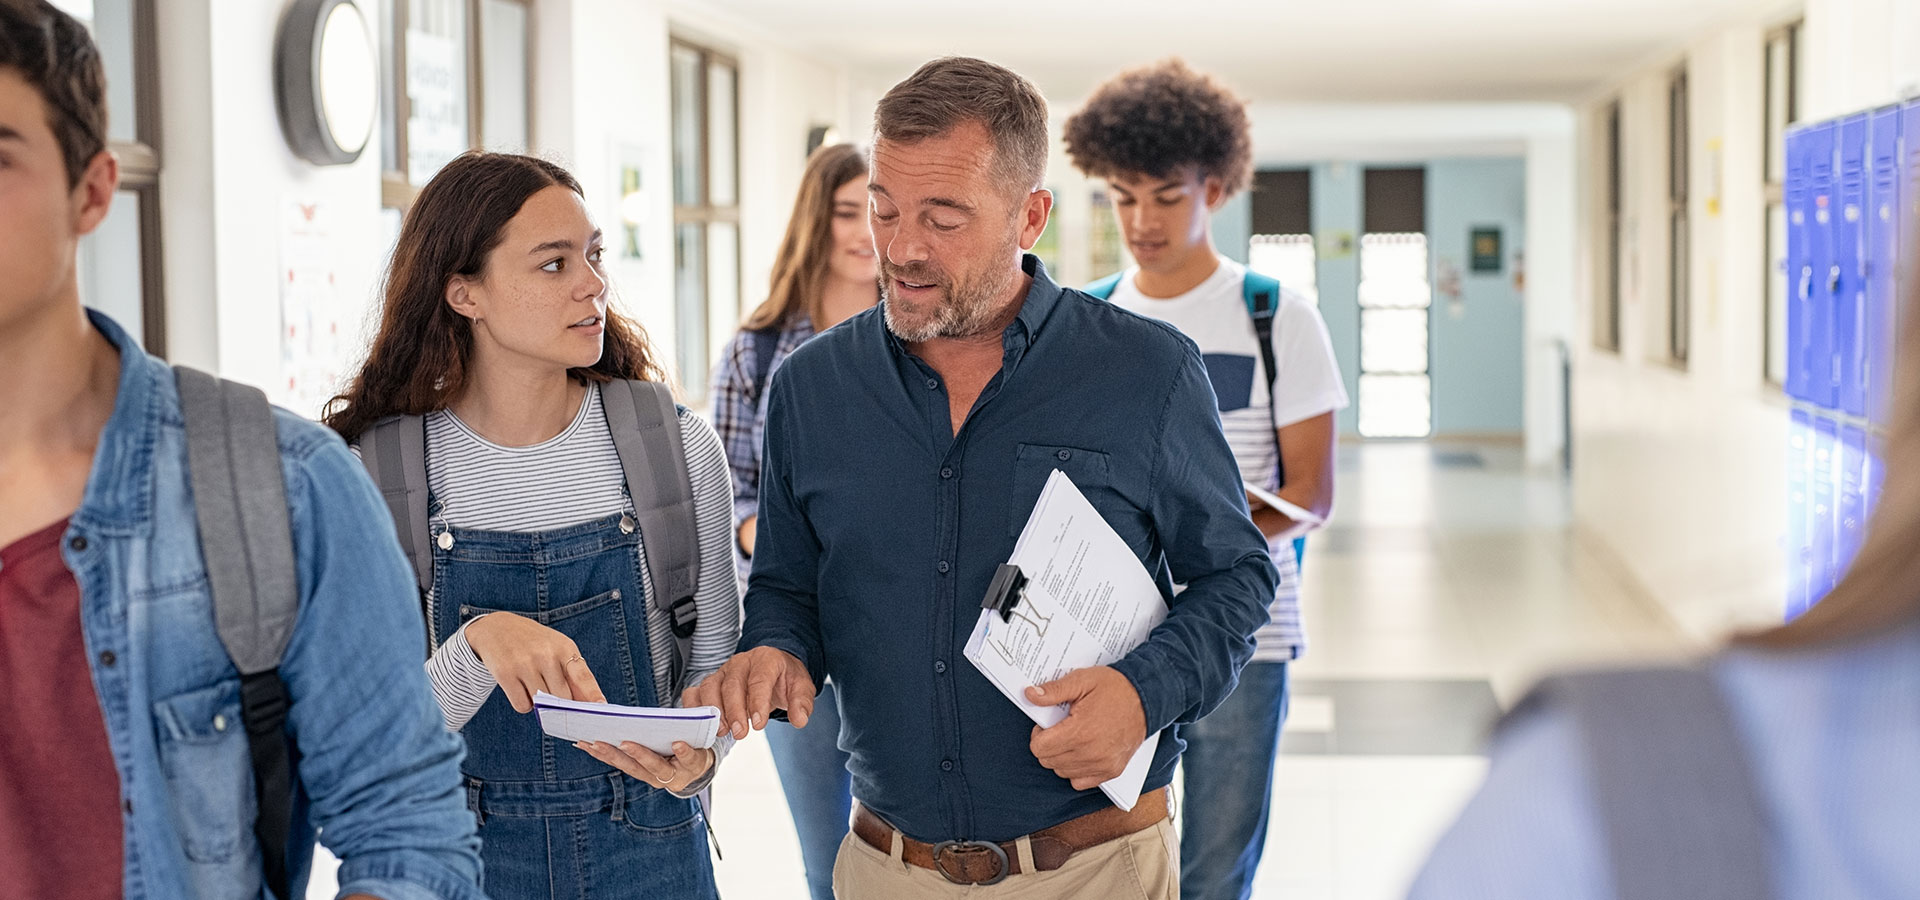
498,331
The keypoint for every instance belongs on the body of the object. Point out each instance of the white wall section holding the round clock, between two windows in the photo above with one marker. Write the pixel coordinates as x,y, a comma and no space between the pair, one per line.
228,179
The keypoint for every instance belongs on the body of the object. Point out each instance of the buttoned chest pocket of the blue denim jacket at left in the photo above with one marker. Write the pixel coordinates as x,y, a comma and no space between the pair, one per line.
210,776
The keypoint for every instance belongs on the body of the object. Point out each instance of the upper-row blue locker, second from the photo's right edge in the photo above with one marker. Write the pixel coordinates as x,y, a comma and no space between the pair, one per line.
1883,260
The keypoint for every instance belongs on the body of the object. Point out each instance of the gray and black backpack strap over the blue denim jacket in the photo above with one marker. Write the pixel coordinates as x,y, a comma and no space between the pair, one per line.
233,462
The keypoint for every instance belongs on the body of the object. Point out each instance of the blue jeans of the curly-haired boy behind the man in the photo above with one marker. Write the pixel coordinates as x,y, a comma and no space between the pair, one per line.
1230,786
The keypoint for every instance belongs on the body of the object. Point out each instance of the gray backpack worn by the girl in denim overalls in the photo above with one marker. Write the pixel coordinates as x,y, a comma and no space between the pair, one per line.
646,433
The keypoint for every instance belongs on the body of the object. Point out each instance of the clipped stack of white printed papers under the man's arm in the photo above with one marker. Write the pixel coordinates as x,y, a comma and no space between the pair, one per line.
1090,602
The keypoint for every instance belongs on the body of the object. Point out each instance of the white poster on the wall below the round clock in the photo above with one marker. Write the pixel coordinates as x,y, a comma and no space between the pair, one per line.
312,341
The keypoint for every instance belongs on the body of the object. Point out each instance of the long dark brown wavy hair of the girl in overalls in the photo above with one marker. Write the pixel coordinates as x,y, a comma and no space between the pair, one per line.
423,356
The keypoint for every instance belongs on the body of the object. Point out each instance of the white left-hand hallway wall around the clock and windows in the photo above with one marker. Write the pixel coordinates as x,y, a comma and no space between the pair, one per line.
602,97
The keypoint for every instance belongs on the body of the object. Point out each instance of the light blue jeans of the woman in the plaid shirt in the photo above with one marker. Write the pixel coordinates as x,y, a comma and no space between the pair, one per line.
813,774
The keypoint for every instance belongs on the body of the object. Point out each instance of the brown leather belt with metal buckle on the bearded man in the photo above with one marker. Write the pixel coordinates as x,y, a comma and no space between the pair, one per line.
980,863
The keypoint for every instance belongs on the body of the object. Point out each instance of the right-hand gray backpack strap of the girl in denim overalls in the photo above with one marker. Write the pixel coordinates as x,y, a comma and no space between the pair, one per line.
646,431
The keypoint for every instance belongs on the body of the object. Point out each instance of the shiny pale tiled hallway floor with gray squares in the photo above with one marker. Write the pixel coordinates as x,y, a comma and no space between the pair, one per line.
1441,590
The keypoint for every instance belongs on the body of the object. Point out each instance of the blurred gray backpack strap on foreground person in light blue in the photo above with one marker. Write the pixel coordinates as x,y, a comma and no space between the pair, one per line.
1671,780
